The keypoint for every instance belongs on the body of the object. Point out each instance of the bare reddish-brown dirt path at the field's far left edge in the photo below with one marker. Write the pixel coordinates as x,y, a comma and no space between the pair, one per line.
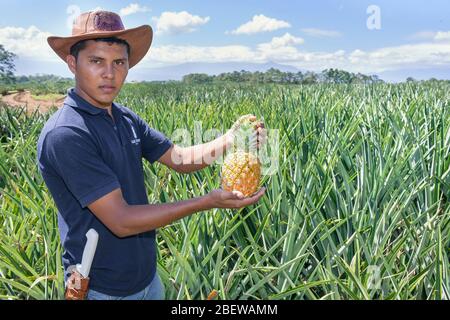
22,99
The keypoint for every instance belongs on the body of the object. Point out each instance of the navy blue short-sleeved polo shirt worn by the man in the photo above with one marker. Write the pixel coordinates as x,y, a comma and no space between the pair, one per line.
83,154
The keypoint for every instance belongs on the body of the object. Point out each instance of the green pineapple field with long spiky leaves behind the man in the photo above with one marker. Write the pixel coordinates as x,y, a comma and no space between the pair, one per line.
356,203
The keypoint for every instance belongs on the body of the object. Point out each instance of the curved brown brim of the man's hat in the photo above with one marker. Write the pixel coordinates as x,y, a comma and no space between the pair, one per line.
139,39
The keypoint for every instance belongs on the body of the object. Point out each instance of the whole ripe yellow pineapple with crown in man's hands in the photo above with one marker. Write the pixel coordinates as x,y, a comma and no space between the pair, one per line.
241,169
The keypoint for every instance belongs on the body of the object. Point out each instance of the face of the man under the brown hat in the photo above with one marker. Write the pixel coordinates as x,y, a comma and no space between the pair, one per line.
100,71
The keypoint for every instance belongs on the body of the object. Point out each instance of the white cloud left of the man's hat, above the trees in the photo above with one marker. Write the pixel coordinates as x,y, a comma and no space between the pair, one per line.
27,43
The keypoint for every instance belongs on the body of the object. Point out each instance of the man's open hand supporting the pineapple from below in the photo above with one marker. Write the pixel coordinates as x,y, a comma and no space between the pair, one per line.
233,199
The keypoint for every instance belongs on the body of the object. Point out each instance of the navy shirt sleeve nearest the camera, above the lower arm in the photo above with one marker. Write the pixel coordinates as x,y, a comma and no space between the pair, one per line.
74,157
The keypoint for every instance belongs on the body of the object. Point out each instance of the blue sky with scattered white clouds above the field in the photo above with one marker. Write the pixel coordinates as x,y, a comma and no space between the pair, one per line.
393,39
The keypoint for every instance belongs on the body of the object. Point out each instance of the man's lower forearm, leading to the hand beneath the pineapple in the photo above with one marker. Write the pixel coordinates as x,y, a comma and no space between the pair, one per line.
137,219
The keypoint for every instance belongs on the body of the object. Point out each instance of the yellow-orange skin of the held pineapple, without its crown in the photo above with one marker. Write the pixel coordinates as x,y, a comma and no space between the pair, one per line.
241,171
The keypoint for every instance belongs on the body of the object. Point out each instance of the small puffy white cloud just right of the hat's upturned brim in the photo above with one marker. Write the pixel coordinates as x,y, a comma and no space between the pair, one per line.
178,22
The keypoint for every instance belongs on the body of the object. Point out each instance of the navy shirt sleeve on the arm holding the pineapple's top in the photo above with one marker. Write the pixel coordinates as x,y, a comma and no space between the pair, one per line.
154,143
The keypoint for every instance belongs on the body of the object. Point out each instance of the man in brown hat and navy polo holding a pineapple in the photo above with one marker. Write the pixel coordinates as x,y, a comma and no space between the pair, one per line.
90,156
